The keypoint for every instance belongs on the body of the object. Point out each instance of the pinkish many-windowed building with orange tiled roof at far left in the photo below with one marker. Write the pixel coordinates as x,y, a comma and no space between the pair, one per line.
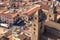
8,17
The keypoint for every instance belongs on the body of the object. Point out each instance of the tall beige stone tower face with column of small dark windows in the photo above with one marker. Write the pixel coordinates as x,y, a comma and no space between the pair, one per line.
35,27
